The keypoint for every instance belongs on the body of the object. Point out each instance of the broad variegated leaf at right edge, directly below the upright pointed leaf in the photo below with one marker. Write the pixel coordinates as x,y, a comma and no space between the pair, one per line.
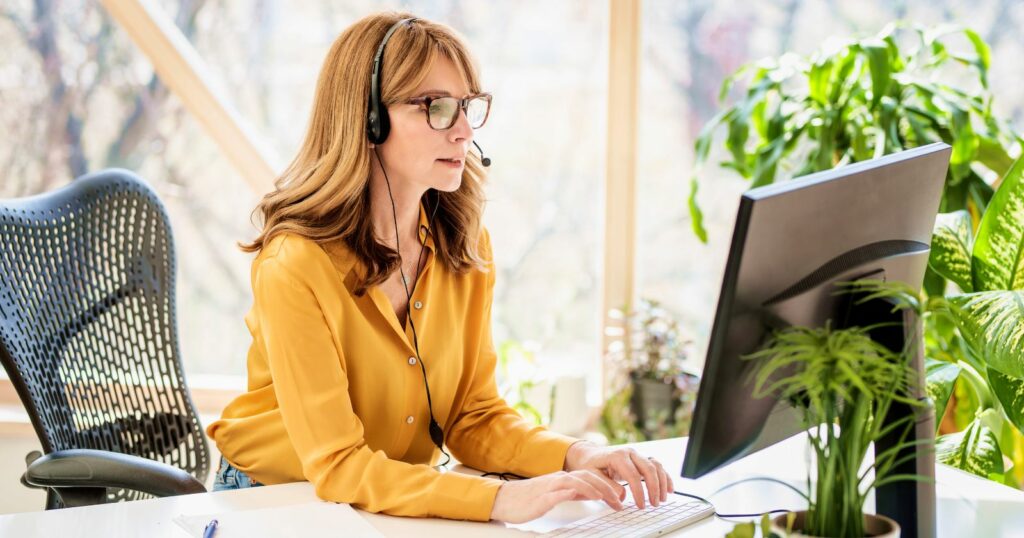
993,325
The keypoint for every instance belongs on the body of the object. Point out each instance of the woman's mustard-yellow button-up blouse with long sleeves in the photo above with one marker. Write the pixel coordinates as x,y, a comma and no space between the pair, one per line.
336,396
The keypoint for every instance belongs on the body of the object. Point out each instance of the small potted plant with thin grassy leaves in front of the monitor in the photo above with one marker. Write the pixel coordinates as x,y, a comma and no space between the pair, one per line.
843,384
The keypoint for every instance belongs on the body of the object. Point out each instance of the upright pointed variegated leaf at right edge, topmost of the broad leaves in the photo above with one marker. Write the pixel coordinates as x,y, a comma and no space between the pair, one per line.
999,252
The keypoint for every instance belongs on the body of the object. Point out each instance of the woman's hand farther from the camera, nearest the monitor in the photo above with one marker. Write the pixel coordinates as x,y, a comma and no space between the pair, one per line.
623,465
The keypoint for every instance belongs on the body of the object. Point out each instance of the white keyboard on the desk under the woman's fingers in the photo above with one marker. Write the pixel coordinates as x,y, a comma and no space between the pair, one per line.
635,523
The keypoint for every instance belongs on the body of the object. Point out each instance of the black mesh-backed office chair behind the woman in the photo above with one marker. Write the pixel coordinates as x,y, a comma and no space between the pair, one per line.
89,337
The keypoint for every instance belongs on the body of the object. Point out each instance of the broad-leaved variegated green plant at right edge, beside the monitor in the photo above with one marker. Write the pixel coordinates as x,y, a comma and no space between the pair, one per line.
975,338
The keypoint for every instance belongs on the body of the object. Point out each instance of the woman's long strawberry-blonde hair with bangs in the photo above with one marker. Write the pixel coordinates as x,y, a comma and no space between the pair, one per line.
324,195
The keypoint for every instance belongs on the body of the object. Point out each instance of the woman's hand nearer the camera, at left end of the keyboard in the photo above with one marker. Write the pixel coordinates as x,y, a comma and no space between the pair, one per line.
524,501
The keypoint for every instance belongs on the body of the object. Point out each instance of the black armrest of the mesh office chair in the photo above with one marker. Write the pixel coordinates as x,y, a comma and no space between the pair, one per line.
100,469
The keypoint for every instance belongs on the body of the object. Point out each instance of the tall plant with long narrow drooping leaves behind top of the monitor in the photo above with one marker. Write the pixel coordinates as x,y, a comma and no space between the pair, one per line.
905,88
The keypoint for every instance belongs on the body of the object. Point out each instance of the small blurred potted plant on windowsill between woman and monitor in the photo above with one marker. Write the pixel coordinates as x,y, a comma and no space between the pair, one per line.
653,391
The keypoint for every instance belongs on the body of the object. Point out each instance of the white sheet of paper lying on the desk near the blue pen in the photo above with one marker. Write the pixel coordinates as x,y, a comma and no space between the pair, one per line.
300,521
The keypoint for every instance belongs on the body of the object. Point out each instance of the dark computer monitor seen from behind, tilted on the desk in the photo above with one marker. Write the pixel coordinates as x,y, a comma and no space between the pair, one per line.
792,243
